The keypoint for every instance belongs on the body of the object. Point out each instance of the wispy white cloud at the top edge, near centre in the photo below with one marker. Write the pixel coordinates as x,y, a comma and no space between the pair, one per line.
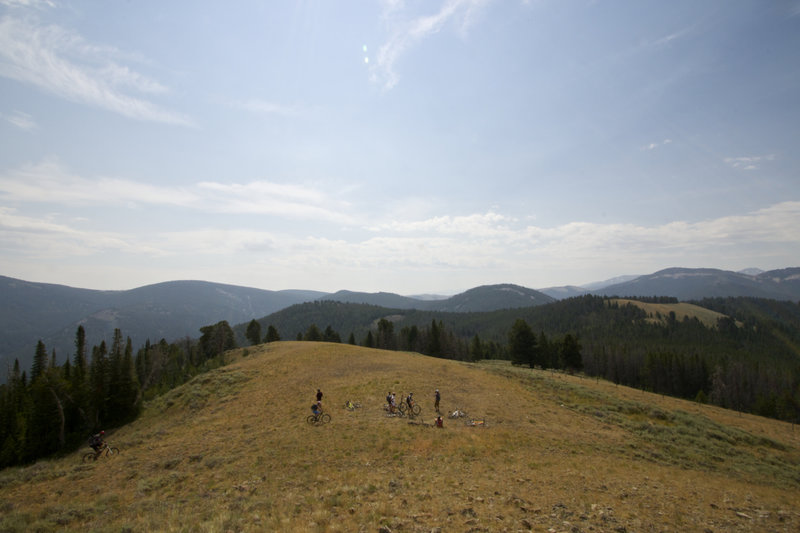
407,34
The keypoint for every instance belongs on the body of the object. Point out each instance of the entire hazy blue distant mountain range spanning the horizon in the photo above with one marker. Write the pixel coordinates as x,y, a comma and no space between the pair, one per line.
177,309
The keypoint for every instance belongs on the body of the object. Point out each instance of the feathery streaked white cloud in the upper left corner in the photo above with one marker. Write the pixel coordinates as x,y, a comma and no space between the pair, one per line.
61,62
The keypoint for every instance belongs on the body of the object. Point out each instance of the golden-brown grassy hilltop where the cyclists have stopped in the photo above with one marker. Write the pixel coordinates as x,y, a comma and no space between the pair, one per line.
231,451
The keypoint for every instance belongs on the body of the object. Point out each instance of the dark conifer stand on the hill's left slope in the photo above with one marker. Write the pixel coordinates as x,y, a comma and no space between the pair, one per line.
54,408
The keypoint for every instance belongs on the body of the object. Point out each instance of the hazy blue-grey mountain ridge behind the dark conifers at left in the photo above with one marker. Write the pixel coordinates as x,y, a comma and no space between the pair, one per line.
171,310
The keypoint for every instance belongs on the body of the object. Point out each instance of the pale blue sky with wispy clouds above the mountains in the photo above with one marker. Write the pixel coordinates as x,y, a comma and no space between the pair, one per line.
412,147
